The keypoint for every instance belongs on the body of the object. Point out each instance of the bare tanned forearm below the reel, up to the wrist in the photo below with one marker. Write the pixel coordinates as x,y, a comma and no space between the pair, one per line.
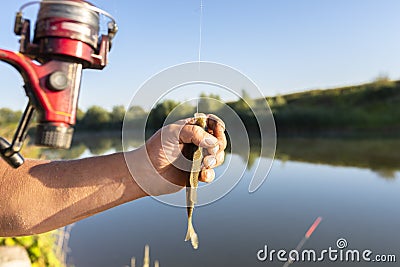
44,195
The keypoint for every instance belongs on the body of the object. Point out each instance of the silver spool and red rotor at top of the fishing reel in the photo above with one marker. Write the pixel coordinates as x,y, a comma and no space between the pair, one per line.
67,29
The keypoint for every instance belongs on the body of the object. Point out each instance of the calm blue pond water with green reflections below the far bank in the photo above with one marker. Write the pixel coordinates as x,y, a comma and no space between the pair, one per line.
352,184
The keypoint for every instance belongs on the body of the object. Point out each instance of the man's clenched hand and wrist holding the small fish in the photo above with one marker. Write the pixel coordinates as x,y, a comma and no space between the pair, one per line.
159,167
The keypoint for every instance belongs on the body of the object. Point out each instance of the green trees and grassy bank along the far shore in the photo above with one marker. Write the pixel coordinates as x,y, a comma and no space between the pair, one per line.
371,107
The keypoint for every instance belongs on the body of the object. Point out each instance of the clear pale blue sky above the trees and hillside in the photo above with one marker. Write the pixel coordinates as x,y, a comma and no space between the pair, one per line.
282,45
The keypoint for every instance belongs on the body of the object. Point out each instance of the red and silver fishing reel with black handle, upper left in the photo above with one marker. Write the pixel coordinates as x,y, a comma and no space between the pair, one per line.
66,40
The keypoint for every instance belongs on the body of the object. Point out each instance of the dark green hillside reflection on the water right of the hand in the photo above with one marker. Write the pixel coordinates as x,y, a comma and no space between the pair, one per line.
378,155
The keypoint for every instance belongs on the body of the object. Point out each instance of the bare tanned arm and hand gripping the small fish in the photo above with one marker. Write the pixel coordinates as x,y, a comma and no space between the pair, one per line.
44,195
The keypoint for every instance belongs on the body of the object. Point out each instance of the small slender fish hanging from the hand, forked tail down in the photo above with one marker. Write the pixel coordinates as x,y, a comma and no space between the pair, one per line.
192,183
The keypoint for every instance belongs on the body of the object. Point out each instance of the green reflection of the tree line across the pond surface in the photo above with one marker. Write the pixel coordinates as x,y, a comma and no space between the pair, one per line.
378,155
